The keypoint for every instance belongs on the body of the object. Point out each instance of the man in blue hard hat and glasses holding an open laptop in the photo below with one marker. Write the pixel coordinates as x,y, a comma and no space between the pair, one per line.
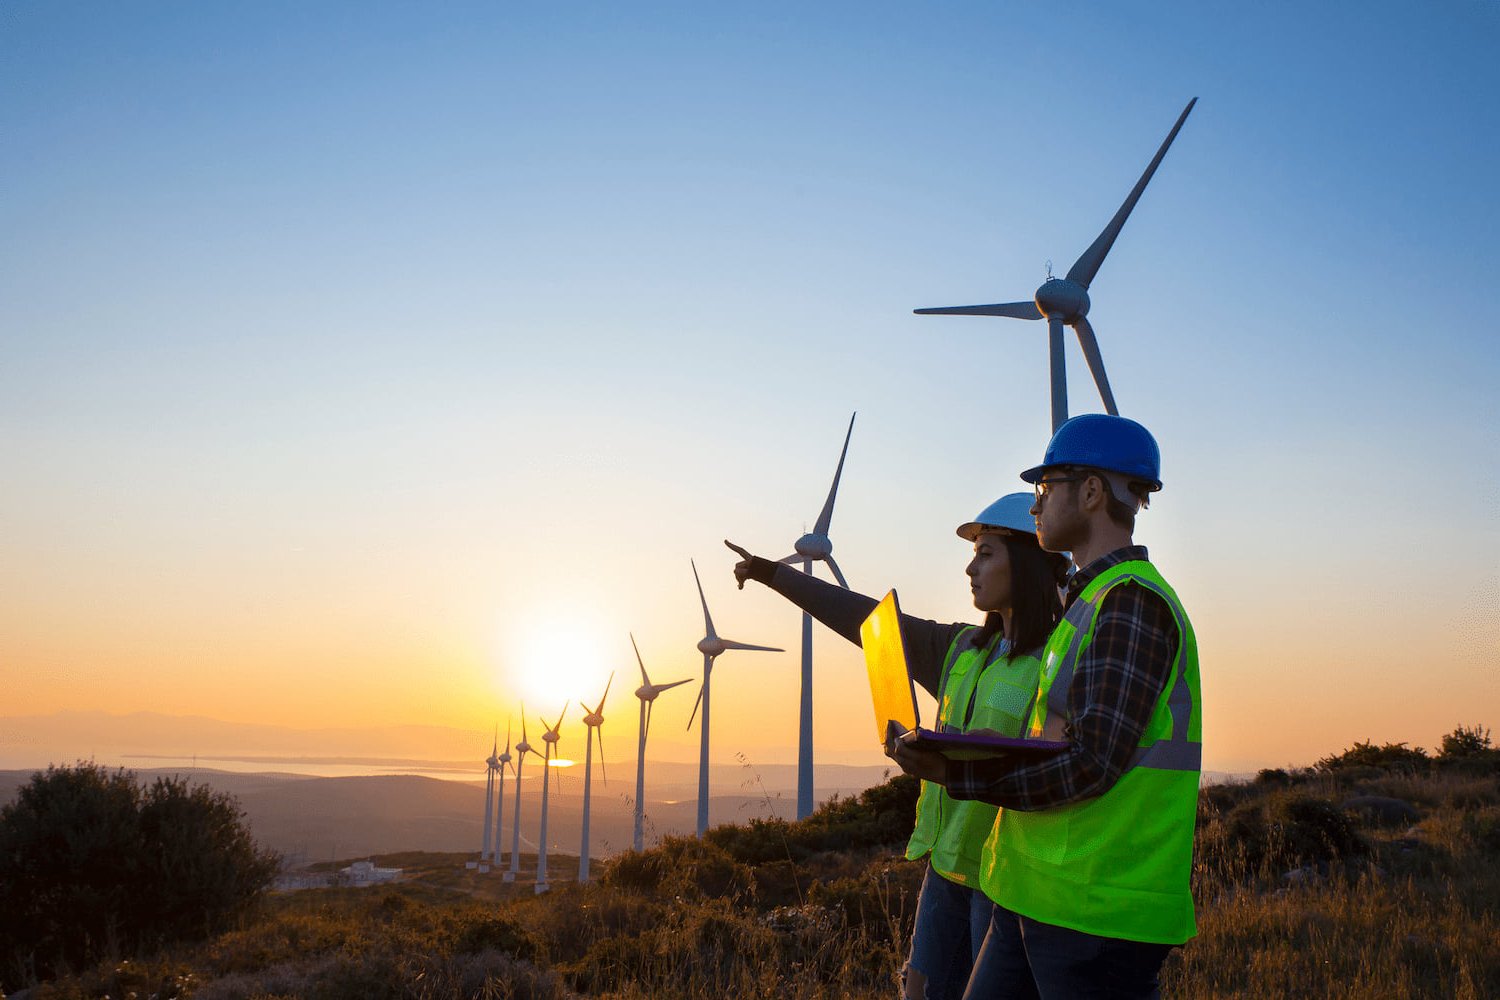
1091,857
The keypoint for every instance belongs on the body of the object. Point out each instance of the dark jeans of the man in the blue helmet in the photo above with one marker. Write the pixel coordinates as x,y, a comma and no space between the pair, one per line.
1042,962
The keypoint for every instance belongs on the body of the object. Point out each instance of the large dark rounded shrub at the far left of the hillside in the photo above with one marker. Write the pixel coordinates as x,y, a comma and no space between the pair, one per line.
94,866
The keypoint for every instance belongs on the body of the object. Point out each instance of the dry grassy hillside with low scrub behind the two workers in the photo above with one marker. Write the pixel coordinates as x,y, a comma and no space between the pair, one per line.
1375,873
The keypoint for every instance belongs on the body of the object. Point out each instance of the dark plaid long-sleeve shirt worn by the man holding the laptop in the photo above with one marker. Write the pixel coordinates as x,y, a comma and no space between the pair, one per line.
1115,689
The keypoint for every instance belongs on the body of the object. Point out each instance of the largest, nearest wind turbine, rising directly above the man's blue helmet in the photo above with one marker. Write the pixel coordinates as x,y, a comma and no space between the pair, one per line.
1066,301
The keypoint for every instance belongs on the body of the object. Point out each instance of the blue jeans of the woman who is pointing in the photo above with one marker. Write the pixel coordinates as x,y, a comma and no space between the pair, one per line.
952,923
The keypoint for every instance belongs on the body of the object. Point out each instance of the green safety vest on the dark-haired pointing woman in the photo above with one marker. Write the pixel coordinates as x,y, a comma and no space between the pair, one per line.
980,689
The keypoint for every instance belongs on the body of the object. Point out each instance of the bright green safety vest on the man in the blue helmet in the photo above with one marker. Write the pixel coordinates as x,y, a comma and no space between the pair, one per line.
1120,864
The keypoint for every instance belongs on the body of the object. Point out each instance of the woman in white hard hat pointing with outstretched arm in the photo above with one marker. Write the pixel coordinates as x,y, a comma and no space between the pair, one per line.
985,678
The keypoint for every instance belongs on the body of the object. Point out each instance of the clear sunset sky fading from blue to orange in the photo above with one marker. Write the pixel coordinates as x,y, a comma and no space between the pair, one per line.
370,365
